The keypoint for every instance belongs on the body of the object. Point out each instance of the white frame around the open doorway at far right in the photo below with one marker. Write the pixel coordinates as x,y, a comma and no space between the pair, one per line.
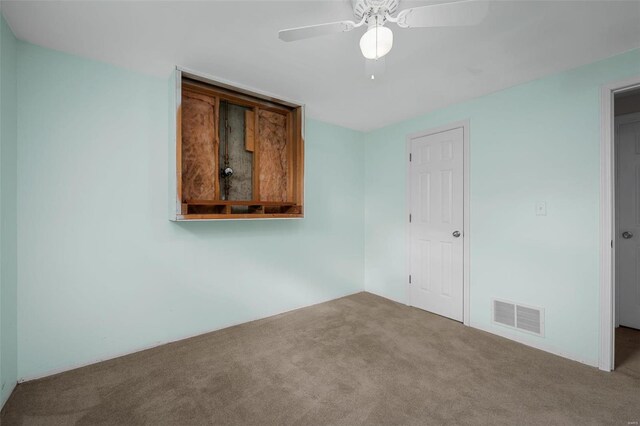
607,220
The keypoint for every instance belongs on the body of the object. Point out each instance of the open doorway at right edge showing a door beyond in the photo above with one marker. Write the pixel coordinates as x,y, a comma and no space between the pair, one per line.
626,235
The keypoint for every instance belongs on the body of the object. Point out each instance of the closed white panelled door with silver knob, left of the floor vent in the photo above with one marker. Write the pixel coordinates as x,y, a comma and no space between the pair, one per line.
437,219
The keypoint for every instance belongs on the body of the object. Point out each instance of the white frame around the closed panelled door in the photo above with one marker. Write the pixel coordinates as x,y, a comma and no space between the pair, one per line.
464,124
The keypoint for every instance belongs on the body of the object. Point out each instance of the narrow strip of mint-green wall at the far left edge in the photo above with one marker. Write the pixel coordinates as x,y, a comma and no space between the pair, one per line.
8,241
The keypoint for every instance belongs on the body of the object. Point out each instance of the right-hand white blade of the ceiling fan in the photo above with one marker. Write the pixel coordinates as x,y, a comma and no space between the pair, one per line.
461,13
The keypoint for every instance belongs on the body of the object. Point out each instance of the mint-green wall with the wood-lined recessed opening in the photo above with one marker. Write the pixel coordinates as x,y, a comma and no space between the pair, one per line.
103,272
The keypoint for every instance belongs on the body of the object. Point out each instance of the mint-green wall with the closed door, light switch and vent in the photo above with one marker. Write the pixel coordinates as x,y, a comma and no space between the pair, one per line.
535,142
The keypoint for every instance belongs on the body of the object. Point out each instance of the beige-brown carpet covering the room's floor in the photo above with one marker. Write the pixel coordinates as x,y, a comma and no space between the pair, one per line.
357,360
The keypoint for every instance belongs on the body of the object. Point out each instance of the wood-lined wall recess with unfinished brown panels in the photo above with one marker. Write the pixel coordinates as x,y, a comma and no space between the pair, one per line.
238,154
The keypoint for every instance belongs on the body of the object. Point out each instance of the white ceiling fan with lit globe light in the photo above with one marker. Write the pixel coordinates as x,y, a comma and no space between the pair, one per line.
378,39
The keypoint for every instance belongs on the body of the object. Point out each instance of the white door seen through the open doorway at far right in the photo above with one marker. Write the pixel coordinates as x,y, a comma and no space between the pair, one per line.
627,236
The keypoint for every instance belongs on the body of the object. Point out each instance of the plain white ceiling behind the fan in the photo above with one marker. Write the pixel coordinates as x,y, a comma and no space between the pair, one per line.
427,69
